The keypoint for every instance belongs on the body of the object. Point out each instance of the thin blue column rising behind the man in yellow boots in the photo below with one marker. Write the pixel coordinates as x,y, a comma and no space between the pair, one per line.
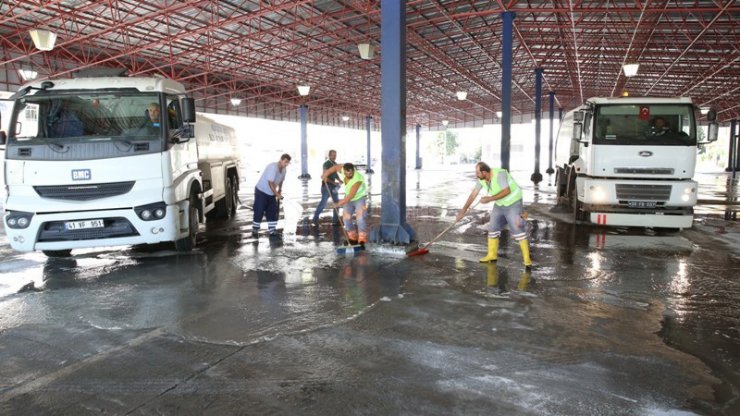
506,46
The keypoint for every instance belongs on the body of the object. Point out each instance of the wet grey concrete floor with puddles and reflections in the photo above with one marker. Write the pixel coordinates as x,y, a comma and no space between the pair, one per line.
608,322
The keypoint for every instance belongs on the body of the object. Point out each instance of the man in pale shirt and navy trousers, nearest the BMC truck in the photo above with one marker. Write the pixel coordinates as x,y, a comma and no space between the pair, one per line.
267,193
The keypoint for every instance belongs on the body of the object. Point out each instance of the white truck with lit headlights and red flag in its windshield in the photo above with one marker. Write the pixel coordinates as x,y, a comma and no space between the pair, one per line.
630,161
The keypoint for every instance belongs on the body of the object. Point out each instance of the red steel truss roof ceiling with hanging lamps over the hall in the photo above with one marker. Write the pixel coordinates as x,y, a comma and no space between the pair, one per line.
260,51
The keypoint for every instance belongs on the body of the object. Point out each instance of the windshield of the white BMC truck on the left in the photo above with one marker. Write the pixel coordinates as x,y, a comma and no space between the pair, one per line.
81,117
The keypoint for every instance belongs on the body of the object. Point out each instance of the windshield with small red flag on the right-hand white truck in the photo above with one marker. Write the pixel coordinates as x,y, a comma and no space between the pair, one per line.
646,124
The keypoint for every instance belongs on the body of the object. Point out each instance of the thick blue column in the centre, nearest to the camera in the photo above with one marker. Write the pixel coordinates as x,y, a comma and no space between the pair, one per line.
393,227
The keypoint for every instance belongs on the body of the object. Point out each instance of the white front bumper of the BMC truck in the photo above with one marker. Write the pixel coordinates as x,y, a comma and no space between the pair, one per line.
122,227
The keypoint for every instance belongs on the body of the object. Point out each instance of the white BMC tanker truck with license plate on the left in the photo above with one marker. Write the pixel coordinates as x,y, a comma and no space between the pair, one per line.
94,162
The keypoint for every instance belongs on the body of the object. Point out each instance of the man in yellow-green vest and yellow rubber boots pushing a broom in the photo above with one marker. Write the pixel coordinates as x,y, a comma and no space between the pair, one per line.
501,189
